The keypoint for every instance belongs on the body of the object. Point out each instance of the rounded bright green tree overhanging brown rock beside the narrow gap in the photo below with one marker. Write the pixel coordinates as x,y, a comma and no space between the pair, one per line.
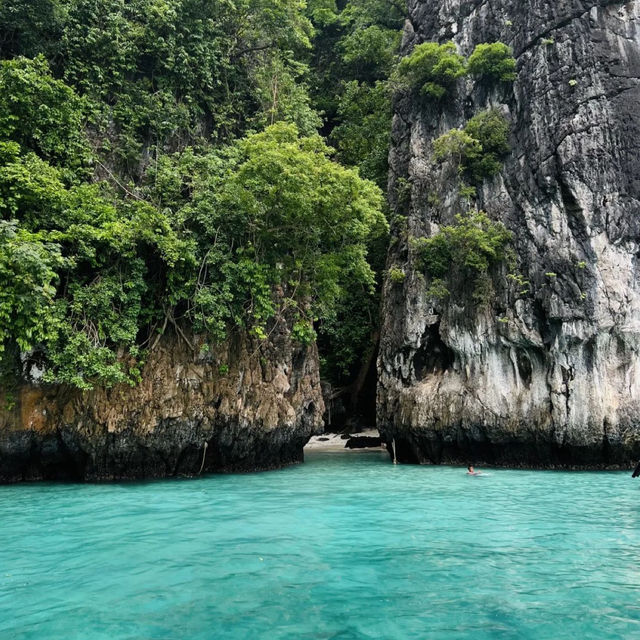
288,216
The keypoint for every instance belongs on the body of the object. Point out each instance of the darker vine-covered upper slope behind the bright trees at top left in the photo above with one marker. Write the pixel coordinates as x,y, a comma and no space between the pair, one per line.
165,73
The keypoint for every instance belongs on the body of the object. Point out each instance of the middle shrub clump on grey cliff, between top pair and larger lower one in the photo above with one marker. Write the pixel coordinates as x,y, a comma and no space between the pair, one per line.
479,147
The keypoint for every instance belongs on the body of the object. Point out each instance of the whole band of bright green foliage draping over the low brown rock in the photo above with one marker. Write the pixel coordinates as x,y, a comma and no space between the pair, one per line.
270,225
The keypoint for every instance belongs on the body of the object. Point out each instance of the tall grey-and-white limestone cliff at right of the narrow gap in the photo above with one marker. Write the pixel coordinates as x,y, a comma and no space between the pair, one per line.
548,373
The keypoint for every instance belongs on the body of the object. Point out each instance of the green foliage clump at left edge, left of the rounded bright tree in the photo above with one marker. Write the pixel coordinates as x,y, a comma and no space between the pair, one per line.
83,254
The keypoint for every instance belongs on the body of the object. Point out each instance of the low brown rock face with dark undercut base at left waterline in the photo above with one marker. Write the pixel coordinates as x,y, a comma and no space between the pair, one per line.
254,405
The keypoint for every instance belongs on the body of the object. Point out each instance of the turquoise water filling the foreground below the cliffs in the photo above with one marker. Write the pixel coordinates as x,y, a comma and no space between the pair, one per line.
344,547
